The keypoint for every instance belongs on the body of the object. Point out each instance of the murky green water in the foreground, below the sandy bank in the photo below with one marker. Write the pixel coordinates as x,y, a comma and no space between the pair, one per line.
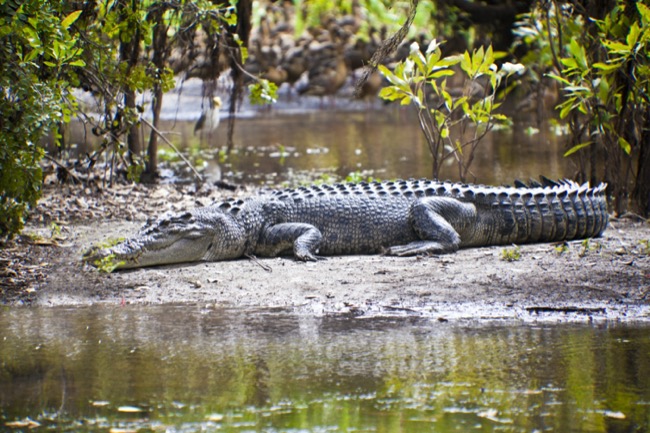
190,369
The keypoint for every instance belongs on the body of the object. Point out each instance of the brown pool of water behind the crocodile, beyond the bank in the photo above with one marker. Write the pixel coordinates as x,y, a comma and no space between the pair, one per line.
384,143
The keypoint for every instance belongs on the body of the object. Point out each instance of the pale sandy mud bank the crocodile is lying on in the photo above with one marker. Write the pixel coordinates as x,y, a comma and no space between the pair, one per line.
605,278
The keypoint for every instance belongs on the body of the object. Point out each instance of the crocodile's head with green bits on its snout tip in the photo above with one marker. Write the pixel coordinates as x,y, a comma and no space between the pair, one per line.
178,238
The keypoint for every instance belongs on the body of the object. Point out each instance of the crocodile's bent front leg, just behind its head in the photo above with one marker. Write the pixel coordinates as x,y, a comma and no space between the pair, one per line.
303,238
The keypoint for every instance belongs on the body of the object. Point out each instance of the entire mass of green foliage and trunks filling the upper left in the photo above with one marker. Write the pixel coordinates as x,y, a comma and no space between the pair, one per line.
114,50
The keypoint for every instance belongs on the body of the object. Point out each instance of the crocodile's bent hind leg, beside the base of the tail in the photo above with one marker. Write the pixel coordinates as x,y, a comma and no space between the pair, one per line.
433,220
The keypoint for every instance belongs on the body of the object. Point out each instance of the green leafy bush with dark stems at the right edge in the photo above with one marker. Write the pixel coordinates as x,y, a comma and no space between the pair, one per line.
599,61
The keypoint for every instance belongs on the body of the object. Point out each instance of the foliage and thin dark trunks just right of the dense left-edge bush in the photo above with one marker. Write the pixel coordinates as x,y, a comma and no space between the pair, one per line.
132,43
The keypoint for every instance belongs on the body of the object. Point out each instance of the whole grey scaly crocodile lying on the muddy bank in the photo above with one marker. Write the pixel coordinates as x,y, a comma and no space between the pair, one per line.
402,218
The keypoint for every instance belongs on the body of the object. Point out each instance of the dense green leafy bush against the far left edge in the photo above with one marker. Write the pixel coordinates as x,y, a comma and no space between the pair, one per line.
38,57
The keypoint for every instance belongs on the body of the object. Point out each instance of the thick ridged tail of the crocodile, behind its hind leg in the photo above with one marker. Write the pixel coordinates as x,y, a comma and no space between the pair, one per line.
549,212
